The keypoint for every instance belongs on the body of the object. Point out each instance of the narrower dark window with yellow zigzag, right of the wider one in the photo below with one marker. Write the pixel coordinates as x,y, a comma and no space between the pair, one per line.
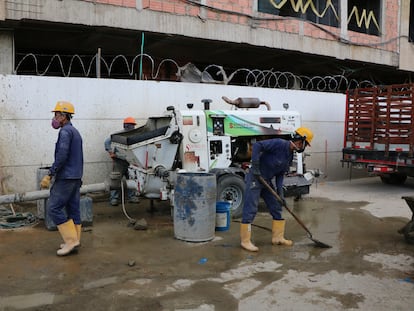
364,16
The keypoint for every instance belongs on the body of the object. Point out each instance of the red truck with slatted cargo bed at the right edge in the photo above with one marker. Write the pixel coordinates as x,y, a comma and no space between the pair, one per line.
378,134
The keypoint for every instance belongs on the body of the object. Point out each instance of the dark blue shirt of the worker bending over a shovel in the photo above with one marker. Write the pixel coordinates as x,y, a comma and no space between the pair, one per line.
274,156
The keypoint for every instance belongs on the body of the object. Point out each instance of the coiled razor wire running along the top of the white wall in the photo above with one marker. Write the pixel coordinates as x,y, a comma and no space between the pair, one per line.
129,67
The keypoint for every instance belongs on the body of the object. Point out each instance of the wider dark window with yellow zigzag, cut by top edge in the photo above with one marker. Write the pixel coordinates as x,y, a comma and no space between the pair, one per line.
324,12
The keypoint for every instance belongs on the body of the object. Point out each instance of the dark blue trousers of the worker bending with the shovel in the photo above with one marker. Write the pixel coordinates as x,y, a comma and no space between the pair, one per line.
255,190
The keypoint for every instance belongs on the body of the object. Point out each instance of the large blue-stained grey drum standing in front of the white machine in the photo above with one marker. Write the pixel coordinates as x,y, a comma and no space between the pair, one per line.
195,207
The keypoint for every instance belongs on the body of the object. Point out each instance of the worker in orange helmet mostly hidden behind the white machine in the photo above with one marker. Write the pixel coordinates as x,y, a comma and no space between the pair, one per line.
120,165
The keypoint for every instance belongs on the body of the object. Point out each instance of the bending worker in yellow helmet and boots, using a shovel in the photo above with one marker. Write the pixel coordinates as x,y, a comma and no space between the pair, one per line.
270,159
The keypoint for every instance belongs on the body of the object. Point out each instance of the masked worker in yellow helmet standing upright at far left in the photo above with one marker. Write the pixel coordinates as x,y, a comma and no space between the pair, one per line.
66,172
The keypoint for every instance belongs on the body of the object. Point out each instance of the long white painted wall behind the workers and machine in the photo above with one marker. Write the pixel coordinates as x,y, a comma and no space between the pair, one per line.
27,139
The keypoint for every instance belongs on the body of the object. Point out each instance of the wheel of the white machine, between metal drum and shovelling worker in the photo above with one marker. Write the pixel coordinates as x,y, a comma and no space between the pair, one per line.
231,188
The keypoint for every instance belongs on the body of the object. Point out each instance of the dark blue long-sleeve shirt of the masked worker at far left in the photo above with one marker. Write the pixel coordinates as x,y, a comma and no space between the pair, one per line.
68,163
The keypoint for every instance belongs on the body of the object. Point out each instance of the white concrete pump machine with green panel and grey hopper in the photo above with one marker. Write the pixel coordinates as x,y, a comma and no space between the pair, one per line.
207,140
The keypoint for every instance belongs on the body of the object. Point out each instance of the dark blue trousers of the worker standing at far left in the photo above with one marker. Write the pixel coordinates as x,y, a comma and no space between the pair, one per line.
65,194
